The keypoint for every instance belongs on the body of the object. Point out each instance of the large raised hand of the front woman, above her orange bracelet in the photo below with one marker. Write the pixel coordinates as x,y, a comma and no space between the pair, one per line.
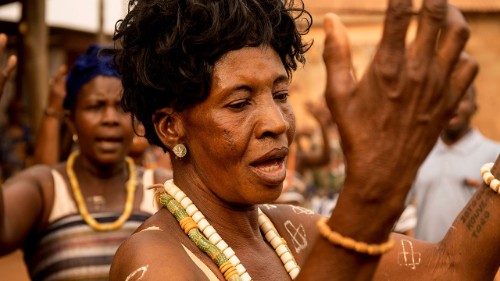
390,119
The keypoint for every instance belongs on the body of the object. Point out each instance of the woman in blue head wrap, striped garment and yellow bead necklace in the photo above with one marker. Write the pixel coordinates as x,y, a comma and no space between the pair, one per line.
70,218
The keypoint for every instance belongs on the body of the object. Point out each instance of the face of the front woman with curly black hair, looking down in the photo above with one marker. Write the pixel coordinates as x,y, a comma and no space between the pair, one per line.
238,138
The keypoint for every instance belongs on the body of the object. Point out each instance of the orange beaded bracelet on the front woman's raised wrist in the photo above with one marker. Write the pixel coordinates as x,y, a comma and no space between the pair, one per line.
351,244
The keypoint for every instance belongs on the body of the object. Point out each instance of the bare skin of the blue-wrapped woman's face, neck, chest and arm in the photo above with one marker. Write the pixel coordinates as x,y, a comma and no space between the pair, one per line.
104,133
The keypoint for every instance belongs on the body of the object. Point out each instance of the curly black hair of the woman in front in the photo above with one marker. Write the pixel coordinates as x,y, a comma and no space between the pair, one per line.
166,49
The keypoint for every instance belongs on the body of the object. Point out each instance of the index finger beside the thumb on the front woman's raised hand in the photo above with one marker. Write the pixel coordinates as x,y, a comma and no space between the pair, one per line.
391,53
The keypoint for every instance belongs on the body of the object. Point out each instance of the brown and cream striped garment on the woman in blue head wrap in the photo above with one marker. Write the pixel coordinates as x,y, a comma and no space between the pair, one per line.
69,249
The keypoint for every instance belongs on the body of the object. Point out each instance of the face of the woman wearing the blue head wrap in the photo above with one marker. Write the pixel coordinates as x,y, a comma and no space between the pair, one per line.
104,130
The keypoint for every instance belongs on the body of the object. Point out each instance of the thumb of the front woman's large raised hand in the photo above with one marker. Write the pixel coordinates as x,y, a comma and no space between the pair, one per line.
337,56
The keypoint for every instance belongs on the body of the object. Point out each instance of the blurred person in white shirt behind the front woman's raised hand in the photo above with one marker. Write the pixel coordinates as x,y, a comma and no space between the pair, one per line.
449,176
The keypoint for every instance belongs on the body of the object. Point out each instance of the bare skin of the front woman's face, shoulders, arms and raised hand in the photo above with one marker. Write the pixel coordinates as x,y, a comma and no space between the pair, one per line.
398,108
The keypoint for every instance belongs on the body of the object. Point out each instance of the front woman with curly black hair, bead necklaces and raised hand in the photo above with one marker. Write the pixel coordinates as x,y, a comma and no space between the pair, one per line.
210,79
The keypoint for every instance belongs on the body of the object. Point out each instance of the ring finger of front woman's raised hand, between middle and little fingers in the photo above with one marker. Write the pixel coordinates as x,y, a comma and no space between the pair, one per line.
453,39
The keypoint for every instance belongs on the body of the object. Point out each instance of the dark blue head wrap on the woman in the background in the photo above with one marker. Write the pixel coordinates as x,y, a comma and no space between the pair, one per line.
86,67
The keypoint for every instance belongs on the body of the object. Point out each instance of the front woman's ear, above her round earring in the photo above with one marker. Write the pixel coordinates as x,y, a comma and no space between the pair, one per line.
169,127
